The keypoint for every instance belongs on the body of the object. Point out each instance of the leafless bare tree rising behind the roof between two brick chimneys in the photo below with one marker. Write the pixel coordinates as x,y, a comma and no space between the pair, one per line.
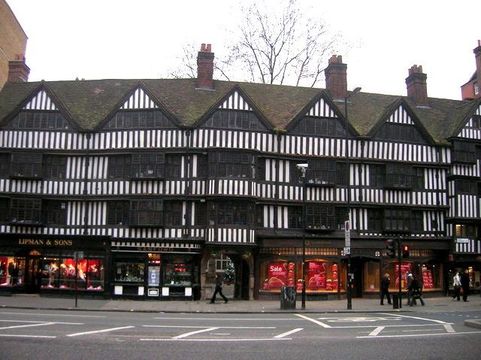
287,47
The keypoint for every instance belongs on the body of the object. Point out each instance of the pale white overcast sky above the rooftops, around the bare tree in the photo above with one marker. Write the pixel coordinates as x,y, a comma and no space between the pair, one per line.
99,39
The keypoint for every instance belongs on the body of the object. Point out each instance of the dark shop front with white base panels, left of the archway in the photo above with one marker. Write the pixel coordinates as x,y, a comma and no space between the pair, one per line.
155,270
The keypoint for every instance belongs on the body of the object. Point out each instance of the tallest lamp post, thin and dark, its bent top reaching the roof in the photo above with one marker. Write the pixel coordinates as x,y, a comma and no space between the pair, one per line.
348,200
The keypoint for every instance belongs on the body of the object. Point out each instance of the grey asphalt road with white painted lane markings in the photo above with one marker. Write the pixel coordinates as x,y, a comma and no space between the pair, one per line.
44,334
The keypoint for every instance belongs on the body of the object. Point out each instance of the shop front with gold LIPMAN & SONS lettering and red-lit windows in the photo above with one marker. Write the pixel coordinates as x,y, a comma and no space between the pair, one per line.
55,264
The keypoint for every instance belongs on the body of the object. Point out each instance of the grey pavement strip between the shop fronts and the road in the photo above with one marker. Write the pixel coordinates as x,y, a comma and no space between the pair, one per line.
359,305
